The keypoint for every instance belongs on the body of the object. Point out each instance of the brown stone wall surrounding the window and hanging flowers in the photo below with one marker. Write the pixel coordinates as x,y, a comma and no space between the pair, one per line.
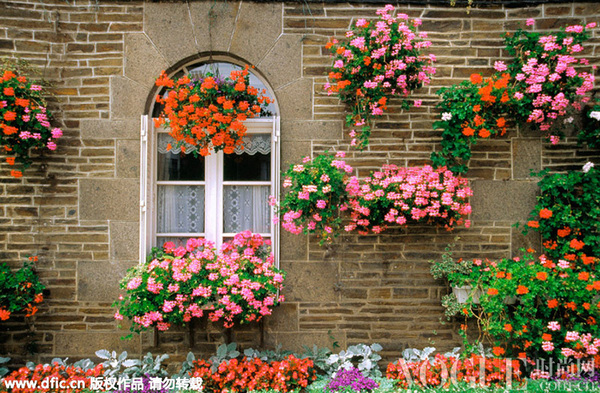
78,208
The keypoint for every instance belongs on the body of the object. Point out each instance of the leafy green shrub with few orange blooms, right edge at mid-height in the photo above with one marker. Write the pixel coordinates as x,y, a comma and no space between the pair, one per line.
567,212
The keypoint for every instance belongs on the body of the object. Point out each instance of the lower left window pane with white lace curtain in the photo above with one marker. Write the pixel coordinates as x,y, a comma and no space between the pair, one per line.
180,209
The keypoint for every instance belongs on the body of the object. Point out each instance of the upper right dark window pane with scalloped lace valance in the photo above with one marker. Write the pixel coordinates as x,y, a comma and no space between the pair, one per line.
251,163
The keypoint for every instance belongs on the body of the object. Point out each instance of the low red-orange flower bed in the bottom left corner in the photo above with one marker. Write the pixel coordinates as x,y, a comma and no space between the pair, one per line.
63,376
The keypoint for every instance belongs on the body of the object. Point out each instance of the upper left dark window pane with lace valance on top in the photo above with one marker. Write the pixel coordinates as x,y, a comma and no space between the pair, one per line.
174,165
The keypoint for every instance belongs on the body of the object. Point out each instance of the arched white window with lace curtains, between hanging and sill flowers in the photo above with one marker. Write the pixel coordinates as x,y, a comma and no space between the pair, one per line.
215,196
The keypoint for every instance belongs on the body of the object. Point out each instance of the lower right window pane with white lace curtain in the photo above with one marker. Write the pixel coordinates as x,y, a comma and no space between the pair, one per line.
246,208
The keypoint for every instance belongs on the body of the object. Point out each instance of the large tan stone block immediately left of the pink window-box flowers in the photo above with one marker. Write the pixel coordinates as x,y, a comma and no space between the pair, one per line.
99,281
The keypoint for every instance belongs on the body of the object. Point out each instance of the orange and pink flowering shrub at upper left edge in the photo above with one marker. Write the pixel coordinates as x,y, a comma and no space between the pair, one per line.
24,120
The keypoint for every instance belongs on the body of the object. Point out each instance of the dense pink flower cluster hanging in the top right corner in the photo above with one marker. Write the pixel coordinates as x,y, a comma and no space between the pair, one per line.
548,83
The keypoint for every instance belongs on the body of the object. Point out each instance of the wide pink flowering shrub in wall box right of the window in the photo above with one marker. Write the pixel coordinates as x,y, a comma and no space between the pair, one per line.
400,195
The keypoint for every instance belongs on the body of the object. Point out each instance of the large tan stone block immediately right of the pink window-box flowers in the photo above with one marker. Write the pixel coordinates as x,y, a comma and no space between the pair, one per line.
311,281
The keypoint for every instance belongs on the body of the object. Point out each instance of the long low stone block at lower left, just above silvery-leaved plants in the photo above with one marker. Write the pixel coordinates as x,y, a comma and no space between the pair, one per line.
85,344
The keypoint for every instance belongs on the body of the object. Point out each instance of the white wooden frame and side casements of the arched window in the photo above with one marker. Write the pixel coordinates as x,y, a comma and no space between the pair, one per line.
213,187
